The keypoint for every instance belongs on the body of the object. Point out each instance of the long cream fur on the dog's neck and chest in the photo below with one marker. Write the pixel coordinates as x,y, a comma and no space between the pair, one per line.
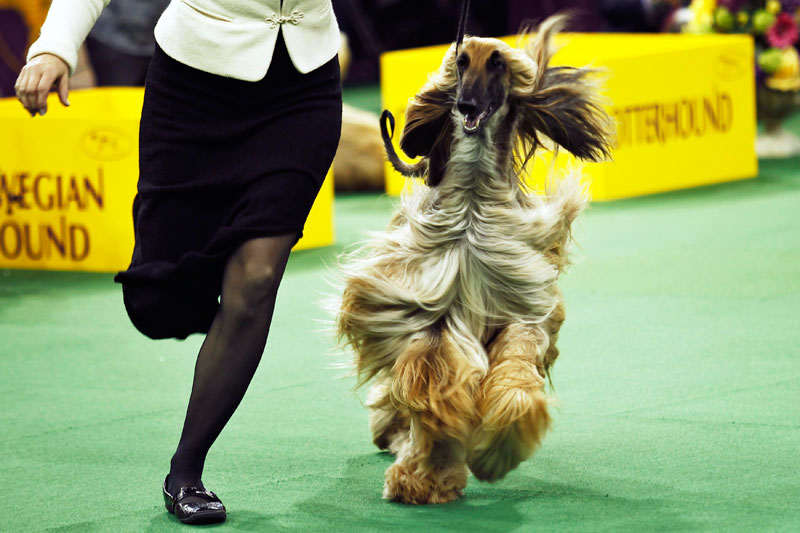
461,248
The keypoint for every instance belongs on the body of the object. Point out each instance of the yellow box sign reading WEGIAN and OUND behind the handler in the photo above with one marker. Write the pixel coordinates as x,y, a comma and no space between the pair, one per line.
67,183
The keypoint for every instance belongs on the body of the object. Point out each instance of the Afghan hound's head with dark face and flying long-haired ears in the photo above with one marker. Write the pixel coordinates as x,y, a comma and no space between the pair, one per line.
486,84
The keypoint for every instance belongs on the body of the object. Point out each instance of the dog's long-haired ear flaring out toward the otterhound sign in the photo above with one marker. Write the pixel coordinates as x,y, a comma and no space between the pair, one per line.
561,103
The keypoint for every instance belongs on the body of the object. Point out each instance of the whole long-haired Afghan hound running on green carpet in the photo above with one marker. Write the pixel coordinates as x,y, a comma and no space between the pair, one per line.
454,311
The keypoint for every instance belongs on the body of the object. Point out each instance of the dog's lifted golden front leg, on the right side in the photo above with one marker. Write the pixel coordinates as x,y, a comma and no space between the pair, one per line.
512,404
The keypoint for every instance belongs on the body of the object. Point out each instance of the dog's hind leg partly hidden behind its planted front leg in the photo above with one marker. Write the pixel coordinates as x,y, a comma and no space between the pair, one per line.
390,424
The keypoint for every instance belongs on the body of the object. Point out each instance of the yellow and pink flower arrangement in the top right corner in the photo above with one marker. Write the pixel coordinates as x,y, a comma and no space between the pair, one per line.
773,24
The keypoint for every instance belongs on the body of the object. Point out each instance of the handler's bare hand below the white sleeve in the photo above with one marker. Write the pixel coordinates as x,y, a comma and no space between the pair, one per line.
37,78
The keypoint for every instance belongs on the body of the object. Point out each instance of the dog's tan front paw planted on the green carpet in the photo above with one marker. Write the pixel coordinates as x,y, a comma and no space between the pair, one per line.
404,484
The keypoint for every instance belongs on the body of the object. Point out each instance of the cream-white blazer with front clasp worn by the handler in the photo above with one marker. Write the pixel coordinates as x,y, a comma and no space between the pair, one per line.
233,38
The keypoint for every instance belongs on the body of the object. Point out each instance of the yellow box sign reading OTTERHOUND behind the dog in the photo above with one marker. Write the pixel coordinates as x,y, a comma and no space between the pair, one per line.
684,107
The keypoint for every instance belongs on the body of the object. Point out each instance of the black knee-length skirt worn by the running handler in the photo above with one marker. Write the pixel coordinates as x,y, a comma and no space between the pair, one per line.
221,161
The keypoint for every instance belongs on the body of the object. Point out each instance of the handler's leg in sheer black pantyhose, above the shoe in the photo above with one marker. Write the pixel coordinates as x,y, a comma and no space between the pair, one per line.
231,351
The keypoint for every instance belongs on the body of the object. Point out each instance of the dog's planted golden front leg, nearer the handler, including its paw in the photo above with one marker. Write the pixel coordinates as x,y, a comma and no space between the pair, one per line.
436,383
